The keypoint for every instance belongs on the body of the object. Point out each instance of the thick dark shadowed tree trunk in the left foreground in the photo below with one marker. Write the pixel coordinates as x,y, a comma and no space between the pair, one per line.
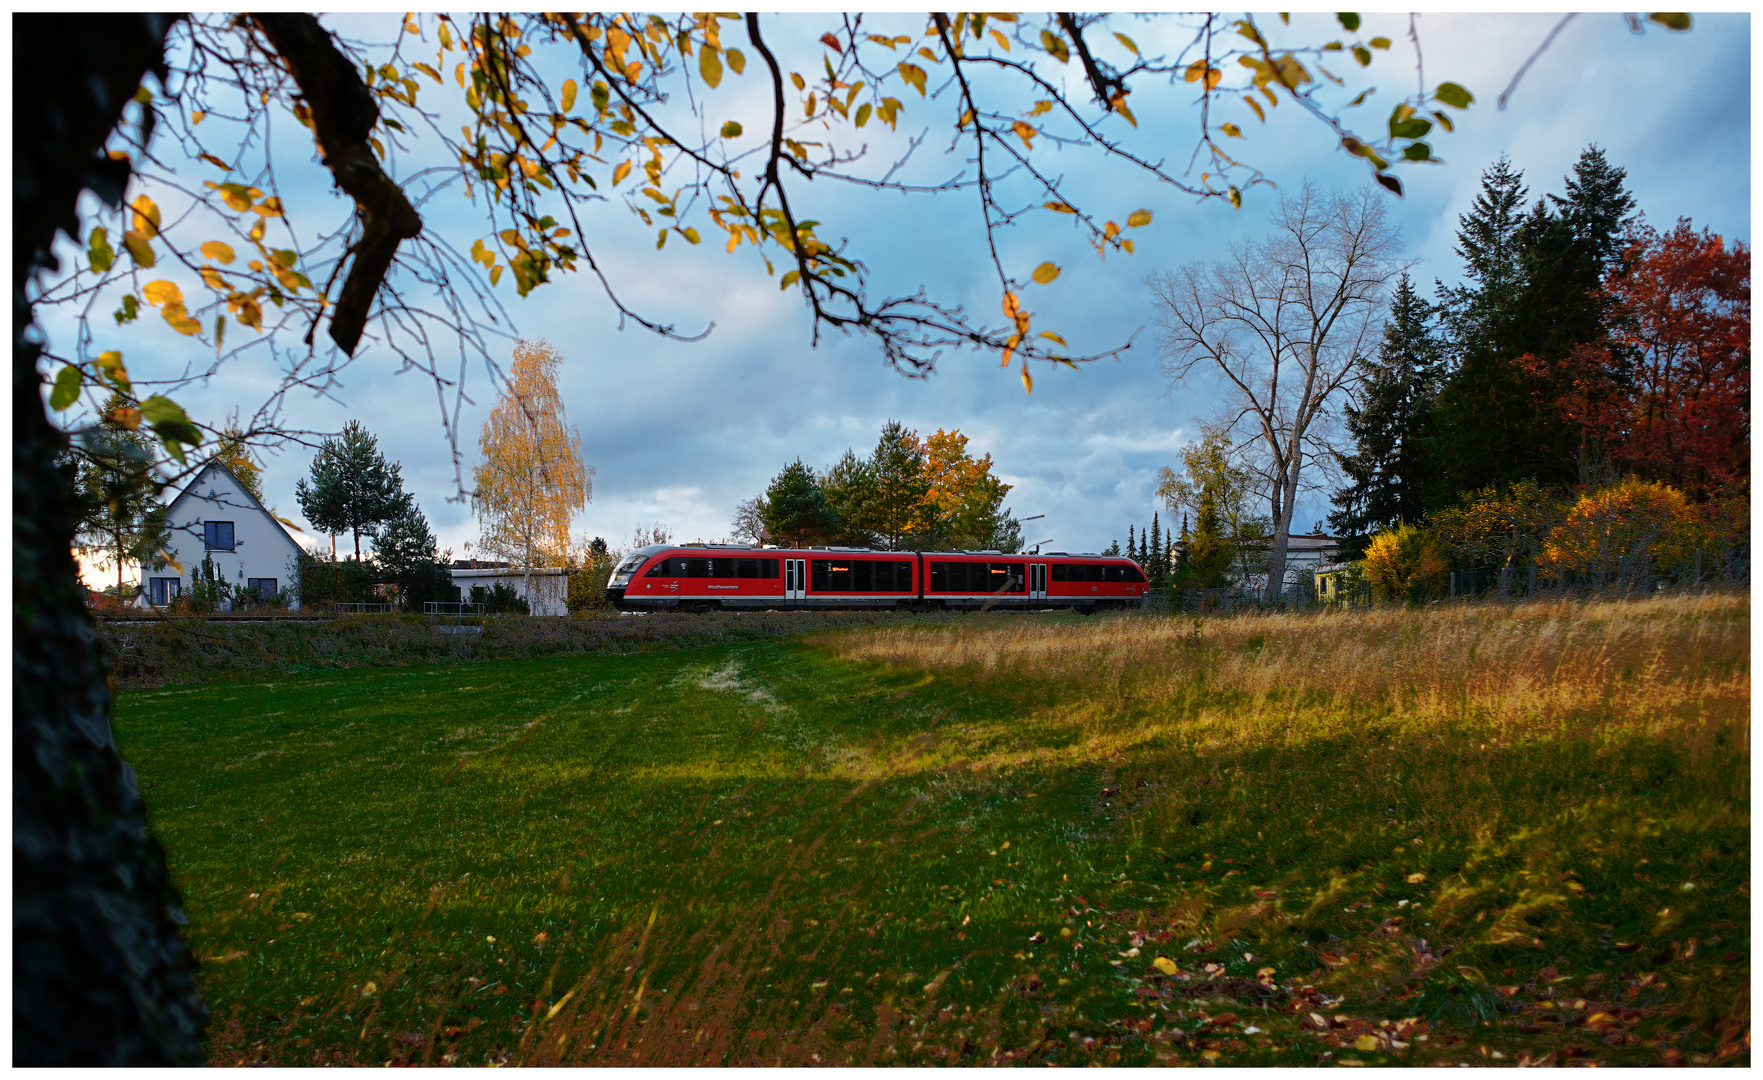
100,972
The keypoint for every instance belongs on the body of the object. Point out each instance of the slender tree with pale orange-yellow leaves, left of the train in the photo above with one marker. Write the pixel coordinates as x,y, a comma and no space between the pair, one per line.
532,480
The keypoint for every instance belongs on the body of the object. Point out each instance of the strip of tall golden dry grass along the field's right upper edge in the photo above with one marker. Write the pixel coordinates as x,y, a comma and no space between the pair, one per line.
1672,667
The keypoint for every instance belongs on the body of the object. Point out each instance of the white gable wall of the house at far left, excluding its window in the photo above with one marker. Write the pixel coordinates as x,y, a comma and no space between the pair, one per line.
262,549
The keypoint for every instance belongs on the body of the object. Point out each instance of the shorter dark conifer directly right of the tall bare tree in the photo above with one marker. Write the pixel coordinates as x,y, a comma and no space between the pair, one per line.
1392,425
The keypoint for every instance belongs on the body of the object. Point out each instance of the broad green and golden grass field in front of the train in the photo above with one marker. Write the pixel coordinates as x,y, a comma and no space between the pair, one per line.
1471,834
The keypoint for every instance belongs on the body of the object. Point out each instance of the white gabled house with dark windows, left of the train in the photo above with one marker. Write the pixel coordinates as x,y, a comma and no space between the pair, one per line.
219,521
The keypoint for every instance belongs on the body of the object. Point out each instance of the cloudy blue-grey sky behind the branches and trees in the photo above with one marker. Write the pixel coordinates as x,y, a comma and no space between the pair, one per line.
678,434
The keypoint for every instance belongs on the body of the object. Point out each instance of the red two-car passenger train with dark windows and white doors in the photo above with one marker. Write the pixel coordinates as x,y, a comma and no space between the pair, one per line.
720,577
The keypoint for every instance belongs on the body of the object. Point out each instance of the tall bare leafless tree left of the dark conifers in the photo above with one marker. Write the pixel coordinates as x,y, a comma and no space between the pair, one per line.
1281,325
